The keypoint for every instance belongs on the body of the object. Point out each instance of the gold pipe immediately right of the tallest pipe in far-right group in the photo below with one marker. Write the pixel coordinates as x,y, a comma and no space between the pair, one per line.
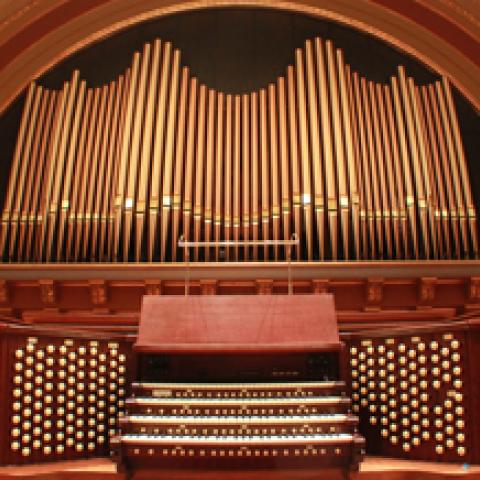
426,160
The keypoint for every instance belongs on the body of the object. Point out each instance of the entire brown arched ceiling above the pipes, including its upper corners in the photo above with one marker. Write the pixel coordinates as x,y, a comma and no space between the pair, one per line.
36,34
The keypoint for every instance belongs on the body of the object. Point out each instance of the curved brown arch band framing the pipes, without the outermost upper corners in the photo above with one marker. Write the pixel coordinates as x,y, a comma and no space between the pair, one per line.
102,18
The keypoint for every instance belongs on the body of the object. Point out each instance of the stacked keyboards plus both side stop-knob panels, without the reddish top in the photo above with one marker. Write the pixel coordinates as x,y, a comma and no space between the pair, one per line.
411,391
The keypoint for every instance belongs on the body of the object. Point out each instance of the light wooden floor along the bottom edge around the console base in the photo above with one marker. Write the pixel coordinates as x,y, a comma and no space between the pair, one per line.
373,468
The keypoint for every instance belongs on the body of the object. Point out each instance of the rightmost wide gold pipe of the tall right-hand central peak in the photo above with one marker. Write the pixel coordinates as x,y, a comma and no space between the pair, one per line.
349,154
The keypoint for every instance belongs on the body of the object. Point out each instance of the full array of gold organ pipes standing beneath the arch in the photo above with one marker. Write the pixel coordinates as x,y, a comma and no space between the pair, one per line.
357,169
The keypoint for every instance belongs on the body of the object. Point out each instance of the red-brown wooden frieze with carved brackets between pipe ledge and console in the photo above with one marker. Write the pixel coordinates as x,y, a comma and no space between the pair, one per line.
353,294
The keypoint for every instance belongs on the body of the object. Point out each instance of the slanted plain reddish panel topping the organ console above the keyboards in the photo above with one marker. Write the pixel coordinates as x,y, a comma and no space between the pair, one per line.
237,323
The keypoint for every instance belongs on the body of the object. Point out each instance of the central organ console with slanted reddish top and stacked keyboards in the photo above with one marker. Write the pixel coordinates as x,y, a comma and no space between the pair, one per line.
236,382
